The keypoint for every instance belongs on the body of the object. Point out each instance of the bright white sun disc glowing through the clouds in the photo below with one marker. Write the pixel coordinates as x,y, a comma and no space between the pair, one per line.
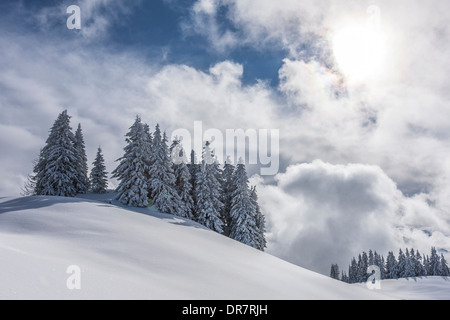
359,52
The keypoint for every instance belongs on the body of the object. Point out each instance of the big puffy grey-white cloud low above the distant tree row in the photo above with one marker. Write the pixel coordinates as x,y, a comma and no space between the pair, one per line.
321,214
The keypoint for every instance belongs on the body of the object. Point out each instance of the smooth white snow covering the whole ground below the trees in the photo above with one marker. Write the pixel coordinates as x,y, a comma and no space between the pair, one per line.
128,253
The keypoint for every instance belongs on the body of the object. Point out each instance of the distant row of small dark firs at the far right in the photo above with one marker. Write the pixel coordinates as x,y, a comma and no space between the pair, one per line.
408,264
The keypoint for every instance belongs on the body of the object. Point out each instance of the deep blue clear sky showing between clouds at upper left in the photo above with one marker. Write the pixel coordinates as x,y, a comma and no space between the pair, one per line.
154,30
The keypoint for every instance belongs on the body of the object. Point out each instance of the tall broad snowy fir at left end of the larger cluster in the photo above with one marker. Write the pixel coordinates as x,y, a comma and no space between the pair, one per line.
133,169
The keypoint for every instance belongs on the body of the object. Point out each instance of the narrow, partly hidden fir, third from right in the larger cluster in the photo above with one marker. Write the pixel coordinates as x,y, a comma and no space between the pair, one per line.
227,195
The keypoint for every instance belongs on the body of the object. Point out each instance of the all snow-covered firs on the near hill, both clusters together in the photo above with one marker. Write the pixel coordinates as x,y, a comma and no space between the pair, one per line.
152,173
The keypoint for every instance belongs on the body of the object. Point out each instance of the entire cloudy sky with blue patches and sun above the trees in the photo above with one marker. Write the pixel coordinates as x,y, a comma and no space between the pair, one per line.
357,89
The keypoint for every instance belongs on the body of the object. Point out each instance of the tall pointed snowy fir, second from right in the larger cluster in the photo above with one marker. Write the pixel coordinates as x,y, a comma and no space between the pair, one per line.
243,213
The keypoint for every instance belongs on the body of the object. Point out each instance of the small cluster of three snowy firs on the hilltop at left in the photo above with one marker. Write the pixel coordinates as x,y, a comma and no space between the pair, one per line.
62,169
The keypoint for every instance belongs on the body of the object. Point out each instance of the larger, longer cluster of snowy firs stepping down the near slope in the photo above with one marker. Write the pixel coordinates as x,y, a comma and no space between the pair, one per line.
151,172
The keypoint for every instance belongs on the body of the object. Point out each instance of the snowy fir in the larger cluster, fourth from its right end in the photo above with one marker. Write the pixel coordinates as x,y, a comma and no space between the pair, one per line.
207,200
